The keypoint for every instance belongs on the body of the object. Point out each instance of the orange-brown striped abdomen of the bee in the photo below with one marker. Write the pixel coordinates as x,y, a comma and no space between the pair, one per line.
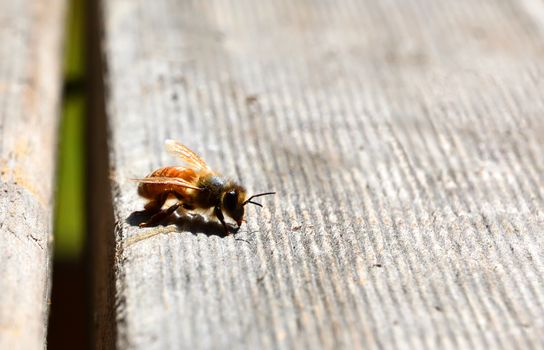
152,190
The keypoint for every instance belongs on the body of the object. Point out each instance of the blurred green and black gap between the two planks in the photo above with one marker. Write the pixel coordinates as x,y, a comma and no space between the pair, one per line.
69,311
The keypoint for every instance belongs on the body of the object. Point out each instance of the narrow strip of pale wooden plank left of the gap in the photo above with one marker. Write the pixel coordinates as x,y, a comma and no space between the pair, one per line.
30,81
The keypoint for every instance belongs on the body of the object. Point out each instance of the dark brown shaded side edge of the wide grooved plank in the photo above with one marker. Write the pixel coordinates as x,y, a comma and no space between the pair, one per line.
100,223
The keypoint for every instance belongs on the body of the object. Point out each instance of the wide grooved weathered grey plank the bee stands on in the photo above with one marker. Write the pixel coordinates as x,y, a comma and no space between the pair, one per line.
404,140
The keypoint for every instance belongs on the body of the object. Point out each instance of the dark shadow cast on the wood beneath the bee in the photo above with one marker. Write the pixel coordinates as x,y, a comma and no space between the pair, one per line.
193,223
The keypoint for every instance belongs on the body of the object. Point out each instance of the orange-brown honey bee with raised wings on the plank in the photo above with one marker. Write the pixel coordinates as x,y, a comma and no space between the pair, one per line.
196,187
